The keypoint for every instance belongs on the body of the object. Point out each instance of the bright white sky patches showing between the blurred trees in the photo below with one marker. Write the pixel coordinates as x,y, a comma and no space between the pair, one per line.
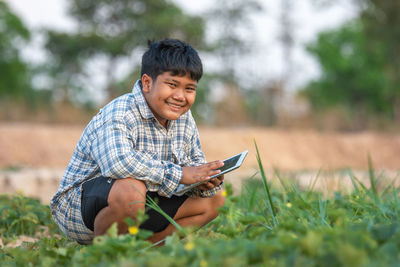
264,61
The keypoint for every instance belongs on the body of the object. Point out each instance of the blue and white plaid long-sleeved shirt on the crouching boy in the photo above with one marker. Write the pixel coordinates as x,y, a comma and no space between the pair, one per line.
125,140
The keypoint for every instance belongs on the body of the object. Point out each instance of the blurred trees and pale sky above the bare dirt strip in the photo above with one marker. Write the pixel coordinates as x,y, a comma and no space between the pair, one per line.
310,63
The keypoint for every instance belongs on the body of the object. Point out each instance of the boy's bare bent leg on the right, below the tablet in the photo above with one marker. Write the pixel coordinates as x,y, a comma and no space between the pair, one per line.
193,212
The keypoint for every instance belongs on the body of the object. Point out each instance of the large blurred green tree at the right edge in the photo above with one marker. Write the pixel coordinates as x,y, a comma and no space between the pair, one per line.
360,64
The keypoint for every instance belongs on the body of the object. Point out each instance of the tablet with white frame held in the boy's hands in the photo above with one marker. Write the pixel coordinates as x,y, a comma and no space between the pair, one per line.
230,164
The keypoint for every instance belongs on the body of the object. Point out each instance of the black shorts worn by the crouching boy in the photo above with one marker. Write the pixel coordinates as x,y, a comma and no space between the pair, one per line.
94,198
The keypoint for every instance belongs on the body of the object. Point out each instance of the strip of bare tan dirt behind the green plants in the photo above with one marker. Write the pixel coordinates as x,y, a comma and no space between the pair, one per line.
43,151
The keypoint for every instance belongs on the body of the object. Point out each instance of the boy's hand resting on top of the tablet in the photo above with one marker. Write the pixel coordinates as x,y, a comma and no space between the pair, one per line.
200,173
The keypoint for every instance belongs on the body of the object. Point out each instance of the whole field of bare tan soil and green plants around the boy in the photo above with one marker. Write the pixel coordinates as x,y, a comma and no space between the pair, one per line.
287,214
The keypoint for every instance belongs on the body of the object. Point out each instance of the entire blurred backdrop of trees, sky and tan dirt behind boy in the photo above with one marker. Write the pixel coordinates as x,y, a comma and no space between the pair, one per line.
315,82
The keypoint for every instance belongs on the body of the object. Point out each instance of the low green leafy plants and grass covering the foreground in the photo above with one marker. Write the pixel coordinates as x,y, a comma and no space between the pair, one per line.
265,225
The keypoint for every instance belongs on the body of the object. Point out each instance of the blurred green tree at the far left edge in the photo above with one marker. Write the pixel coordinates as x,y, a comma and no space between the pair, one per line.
14,73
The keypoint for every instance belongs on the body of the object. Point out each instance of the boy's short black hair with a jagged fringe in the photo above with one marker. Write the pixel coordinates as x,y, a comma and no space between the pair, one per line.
171,55
